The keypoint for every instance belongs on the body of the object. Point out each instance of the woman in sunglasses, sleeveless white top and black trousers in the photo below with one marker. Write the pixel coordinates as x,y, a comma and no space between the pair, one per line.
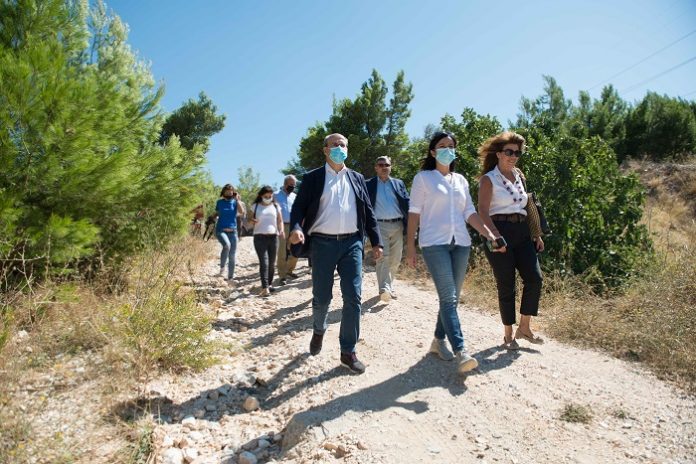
502,200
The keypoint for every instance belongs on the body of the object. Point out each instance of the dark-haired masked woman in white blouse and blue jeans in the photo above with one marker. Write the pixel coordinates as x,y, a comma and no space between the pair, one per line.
441,206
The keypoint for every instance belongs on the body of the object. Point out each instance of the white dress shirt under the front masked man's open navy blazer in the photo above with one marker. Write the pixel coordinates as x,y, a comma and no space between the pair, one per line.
338,212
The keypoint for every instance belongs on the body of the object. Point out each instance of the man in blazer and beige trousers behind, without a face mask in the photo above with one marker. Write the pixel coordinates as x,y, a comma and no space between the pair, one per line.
389,199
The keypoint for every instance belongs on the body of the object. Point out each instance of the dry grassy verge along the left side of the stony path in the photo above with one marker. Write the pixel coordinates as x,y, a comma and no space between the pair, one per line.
118,336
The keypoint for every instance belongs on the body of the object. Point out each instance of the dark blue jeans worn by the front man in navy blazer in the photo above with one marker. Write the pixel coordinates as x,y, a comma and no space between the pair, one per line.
345,256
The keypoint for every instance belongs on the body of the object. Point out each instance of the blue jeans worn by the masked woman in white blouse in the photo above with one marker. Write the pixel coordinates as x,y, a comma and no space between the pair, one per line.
447,264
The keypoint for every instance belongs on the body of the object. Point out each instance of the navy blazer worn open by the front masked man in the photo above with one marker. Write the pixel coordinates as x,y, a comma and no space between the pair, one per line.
306,206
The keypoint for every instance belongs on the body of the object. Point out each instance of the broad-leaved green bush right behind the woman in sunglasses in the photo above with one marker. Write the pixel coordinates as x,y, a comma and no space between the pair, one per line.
593,208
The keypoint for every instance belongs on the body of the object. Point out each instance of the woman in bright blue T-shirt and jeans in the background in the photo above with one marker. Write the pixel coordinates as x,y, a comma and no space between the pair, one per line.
226,229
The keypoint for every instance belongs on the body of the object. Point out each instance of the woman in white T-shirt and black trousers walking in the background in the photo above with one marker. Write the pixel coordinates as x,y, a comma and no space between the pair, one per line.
268,226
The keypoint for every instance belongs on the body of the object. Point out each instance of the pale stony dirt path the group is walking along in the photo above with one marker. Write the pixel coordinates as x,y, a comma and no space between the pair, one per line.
269,401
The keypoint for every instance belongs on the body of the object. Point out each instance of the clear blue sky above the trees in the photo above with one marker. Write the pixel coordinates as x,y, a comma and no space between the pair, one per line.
273,67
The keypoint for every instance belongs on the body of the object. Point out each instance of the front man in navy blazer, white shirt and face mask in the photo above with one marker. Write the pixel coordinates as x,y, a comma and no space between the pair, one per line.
331,215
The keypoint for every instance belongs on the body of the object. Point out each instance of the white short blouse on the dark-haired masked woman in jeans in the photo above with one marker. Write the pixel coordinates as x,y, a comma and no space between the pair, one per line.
444,204
